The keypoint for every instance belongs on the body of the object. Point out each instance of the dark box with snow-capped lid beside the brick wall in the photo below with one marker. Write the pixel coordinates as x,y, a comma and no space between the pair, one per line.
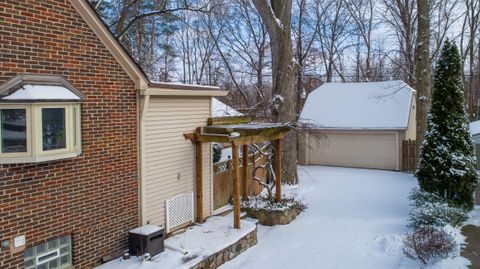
146,239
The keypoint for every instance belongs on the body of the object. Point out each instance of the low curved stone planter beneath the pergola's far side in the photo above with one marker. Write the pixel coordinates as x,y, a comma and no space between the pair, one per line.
270,218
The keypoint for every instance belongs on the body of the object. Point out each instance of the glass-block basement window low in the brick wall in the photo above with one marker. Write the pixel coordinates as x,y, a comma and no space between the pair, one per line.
56,253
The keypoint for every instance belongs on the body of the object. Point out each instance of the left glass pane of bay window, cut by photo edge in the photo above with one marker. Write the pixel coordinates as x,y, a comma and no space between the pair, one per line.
14,130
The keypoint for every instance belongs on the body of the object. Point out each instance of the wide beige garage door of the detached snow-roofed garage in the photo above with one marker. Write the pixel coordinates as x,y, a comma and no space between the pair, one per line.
366,150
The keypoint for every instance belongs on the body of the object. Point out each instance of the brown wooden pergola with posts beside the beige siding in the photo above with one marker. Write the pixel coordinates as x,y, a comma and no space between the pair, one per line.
238,131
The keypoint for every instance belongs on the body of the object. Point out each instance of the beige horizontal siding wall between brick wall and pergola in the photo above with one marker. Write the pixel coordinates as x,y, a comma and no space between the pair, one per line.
169,164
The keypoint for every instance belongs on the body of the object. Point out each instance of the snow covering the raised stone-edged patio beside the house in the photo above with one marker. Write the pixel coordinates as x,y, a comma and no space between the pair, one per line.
200,241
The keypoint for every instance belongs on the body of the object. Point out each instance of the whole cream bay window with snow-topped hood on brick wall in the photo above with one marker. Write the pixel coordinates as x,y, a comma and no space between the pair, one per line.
39,120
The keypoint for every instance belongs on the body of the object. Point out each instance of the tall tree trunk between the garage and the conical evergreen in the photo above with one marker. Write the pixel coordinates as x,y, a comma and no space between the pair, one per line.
422,70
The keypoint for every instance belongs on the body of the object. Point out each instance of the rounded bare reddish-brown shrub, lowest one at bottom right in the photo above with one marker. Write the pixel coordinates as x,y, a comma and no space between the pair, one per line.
427,244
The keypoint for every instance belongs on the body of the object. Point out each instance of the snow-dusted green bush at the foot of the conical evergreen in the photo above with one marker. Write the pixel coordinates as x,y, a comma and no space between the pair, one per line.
429,209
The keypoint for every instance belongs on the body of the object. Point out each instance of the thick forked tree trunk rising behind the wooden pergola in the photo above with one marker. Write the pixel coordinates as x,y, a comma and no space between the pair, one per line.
277,18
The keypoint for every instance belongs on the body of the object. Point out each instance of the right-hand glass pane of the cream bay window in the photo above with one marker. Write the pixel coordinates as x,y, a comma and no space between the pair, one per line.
53,128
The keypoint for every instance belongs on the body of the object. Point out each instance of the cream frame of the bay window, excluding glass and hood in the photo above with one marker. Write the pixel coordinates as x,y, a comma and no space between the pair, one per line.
35,152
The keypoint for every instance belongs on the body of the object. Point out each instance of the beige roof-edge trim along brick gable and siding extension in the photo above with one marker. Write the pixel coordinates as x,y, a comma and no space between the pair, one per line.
142,82
